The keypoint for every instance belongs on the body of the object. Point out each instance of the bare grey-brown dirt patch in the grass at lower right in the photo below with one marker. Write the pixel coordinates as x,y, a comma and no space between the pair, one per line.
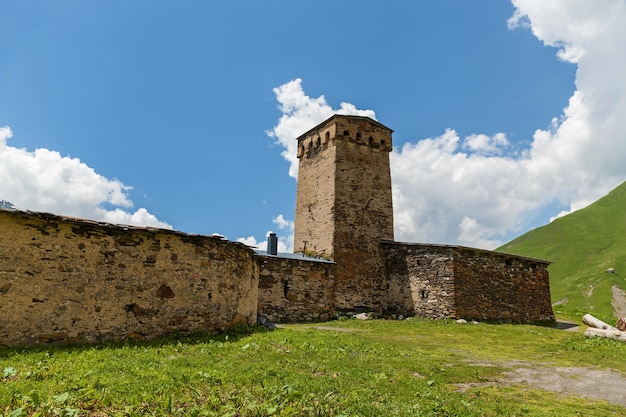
604,385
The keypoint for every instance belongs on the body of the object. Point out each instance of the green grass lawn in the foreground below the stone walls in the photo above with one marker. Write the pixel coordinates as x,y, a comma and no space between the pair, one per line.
373,368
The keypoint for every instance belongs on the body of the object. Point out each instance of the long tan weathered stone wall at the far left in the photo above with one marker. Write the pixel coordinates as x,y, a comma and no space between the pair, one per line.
68,280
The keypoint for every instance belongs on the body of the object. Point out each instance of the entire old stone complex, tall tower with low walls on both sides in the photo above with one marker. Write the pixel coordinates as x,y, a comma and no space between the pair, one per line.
67,280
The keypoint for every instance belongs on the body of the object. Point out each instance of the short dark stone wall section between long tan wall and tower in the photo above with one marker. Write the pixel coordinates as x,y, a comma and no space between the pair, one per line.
293,289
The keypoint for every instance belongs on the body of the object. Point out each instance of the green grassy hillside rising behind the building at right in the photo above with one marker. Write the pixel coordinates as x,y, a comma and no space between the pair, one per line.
582,245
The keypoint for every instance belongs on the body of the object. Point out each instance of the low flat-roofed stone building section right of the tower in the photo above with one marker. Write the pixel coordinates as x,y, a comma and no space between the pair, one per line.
437,281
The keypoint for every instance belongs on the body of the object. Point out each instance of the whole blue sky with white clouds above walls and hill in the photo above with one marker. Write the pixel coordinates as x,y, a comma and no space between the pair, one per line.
184,114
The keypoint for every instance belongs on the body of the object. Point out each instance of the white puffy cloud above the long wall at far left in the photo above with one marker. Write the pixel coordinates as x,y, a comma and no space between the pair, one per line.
43,180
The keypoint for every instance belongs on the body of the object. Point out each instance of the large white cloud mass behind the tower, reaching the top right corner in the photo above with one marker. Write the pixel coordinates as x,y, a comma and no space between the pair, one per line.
475,191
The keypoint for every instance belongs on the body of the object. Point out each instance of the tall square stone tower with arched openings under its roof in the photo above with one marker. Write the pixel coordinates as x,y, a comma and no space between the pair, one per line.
344,206
